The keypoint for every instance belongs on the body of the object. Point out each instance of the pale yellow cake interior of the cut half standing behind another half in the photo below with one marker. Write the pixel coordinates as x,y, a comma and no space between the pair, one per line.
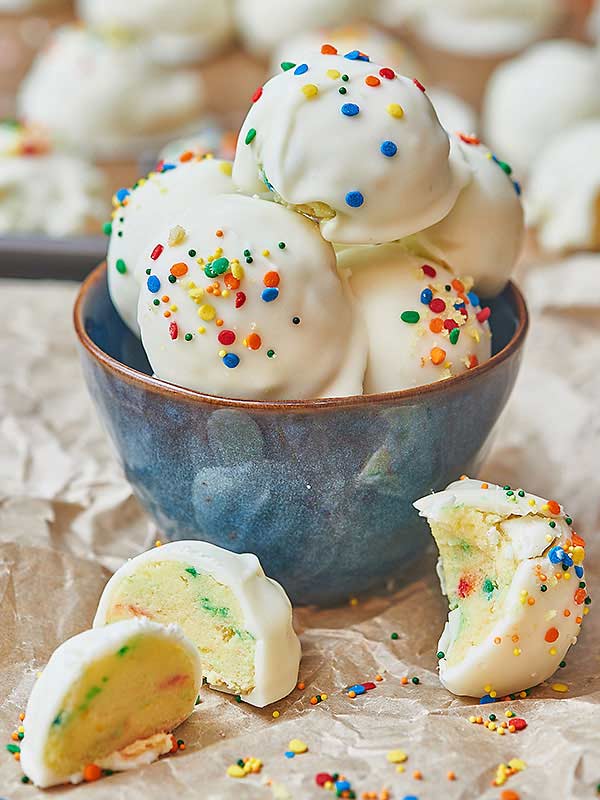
207,611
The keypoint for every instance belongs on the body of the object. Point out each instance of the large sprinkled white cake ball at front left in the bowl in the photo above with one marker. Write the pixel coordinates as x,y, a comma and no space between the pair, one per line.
243,300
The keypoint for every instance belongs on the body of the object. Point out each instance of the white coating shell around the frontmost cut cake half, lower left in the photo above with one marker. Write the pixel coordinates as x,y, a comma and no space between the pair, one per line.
66,665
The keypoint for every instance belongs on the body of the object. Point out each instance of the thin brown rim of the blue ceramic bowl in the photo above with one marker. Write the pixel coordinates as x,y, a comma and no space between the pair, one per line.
401,397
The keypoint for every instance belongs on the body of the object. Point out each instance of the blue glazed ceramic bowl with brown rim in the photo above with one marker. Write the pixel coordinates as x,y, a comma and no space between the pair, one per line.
320,490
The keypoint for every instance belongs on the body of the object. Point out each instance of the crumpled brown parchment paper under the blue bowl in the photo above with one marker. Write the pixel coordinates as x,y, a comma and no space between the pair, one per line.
67,518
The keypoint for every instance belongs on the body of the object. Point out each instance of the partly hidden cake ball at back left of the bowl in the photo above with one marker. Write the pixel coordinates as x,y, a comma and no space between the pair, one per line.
174,186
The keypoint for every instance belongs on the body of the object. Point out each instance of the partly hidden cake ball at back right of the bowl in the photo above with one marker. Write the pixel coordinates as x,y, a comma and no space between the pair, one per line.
482,236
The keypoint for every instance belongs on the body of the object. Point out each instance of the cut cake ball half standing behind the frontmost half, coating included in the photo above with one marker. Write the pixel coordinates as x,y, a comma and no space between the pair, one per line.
240,620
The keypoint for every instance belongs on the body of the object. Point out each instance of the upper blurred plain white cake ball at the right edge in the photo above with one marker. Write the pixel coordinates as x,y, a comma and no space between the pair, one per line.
548,89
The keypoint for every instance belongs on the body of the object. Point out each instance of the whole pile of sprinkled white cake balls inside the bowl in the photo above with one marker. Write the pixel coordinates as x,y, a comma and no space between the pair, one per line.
343,252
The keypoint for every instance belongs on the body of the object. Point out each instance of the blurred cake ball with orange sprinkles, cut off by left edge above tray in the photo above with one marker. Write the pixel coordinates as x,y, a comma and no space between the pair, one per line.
45,191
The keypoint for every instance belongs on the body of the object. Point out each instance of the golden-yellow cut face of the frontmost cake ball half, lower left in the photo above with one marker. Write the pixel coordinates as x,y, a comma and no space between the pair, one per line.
146,687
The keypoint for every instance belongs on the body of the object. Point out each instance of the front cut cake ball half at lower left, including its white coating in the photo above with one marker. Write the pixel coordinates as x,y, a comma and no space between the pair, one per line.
109,699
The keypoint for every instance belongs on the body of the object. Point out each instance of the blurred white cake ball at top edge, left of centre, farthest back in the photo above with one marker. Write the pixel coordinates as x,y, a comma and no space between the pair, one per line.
174,31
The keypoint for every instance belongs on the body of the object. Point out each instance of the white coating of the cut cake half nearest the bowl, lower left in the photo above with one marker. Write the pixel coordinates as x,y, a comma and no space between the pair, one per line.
265,606
